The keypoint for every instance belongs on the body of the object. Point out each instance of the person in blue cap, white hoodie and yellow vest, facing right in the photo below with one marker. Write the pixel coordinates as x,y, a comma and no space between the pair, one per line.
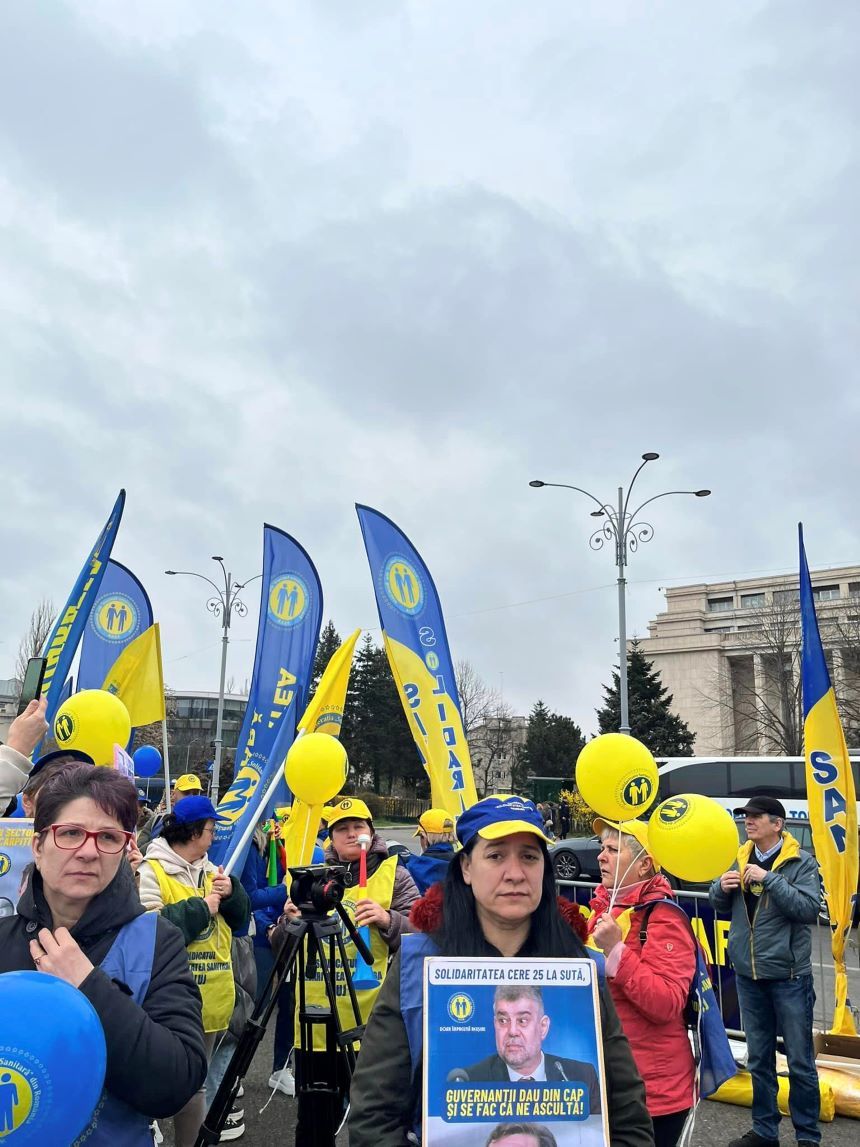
178,881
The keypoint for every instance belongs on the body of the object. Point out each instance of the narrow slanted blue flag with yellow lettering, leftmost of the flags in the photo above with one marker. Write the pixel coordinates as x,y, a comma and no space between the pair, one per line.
69,627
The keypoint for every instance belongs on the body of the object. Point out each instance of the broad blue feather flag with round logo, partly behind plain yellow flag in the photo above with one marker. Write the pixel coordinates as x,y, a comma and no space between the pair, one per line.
120,614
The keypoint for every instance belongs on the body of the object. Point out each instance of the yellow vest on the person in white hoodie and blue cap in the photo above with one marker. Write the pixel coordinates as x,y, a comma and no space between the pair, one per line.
209,956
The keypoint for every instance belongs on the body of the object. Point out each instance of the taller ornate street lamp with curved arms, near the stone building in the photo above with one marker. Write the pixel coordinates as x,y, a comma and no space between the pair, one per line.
622,527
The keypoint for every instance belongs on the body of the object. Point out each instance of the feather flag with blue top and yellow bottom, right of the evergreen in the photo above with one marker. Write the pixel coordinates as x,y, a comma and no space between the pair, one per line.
418,650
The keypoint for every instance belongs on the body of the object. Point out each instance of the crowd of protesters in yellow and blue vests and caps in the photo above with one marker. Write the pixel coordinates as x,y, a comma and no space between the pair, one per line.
123,904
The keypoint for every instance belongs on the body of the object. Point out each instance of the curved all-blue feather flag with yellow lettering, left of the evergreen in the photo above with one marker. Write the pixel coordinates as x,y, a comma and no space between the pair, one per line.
287,636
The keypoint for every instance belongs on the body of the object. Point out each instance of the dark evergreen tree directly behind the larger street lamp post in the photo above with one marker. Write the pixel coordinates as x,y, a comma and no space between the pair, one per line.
650,703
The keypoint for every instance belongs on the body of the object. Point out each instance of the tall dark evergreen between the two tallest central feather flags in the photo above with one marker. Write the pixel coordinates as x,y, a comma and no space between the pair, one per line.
376,734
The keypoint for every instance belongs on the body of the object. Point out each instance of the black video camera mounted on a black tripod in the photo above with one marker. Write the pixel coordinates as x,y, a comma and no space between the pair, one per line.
314,938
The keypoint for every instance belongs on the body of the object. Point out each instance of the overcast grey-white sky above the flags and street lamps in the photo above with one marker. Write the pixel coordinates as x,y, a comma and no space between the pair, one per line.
262,261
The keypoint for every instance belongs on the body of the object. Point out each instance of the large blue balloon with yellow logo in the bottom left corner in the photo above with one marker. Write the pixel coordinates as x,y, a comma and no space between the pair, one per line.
48,1026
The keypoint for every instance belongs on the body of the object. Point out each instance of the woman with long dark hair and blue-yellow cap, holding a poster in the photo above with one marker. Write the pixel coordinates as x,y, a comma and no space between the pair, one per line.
499,901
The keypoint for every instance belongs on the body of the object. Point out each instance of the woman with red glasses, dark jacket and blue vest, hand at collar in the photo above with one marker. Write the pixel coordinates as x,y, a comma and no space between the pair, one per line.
80,918
